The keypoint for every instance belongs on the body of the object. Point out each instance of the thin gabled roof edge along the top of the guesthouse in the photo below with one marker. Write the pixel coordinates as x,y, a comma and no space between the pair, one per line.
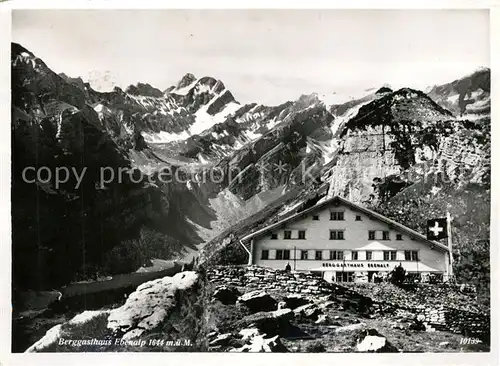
372,214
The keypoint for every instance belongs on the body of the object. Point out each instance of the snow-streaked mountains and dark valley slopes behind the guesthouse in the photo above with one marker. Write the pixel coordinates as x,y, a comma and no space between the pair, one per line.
408,154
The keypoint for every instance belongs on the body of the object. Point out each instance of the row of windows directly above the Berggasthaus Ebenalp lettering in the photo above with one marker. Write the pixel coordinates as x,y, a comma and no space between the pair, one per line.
389,255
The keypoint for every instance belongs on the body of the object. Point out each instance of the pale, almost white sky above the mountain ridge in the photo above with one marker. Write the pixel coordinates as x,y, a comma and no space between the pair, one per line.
264,56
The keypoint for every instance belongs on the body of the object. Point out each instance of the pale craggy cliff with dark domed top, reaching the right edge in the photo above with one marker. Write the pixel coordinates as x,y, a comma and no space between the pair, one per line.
406,134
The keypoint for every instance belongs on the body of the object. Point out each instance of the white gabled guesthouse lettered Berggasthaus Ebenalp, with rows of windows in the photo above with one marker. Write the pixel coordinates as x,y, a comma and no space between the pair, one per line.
346,243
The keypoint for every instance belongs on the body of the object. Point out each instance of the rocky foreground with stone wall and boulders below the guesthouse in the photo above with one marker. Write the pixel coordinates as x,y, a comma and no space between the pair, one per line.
253,309
